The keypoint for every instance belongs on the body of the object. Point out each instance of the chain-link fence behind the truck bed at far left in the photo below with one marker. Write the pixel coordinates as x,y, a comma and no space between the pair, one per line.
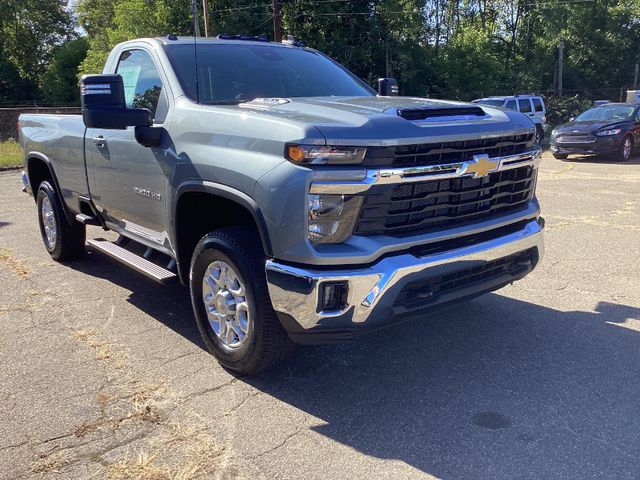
10,152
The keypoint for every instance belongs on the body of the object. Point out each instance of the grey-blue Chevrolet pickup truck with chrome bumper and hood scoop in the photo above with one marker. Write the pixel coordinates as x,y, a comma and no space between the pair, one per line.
297,204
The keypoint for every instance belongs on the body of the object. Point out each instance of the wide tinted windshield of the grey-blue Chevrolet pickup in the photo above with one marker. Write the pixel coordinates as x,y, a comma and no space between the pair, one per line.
233,73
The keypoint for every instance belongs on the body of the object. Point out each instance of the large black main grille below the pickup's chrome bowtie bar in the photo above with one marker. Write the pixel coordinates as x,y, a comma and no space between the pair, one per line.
421,207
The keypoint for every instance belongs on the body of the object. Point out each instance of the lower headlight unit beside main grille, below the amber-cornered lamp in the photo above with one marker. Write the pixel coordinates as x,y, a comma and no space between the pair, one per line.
332,217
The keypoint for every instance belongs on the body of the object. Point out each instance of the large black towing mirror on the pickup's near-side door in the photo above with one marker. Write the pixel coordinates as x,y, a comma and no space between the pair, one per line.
103,104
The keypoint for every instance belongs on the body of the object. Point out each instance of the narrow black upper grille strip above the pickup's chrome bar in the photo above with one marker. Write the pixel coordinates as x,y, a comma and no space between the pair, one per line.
447,152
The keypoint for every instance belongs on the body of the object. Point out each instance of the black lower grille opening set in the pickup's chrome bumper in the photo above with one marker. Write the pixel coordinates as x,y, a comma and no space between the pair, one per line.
421,293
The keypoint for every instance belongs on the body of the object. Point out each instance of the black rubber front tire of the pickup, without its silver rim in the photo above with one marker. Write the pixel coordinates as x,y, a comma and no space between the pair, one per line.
267,342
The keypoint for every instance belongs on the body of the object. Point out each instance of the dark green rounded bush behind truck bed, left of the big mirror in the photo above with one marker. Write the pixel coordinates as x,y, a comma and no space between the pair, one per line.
60,81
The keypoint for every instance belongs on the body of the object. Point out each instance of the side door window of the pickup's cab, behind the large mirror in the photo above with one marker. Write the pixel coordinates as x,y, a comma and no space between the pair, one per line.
142,84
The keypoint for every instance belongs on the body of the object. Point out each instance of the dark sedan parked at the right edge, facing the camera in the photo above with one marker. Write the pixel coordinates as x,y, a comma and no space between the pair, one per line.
611,129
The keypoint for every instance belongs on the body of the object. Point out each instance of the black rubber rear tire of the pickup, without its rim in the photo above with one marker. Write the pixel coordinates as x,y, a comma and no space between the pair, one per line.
69,239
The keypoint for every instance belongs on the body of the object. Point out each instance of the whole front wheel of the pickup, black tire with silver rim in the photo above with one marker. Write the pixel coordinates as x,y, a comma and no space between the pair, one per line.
231,302
